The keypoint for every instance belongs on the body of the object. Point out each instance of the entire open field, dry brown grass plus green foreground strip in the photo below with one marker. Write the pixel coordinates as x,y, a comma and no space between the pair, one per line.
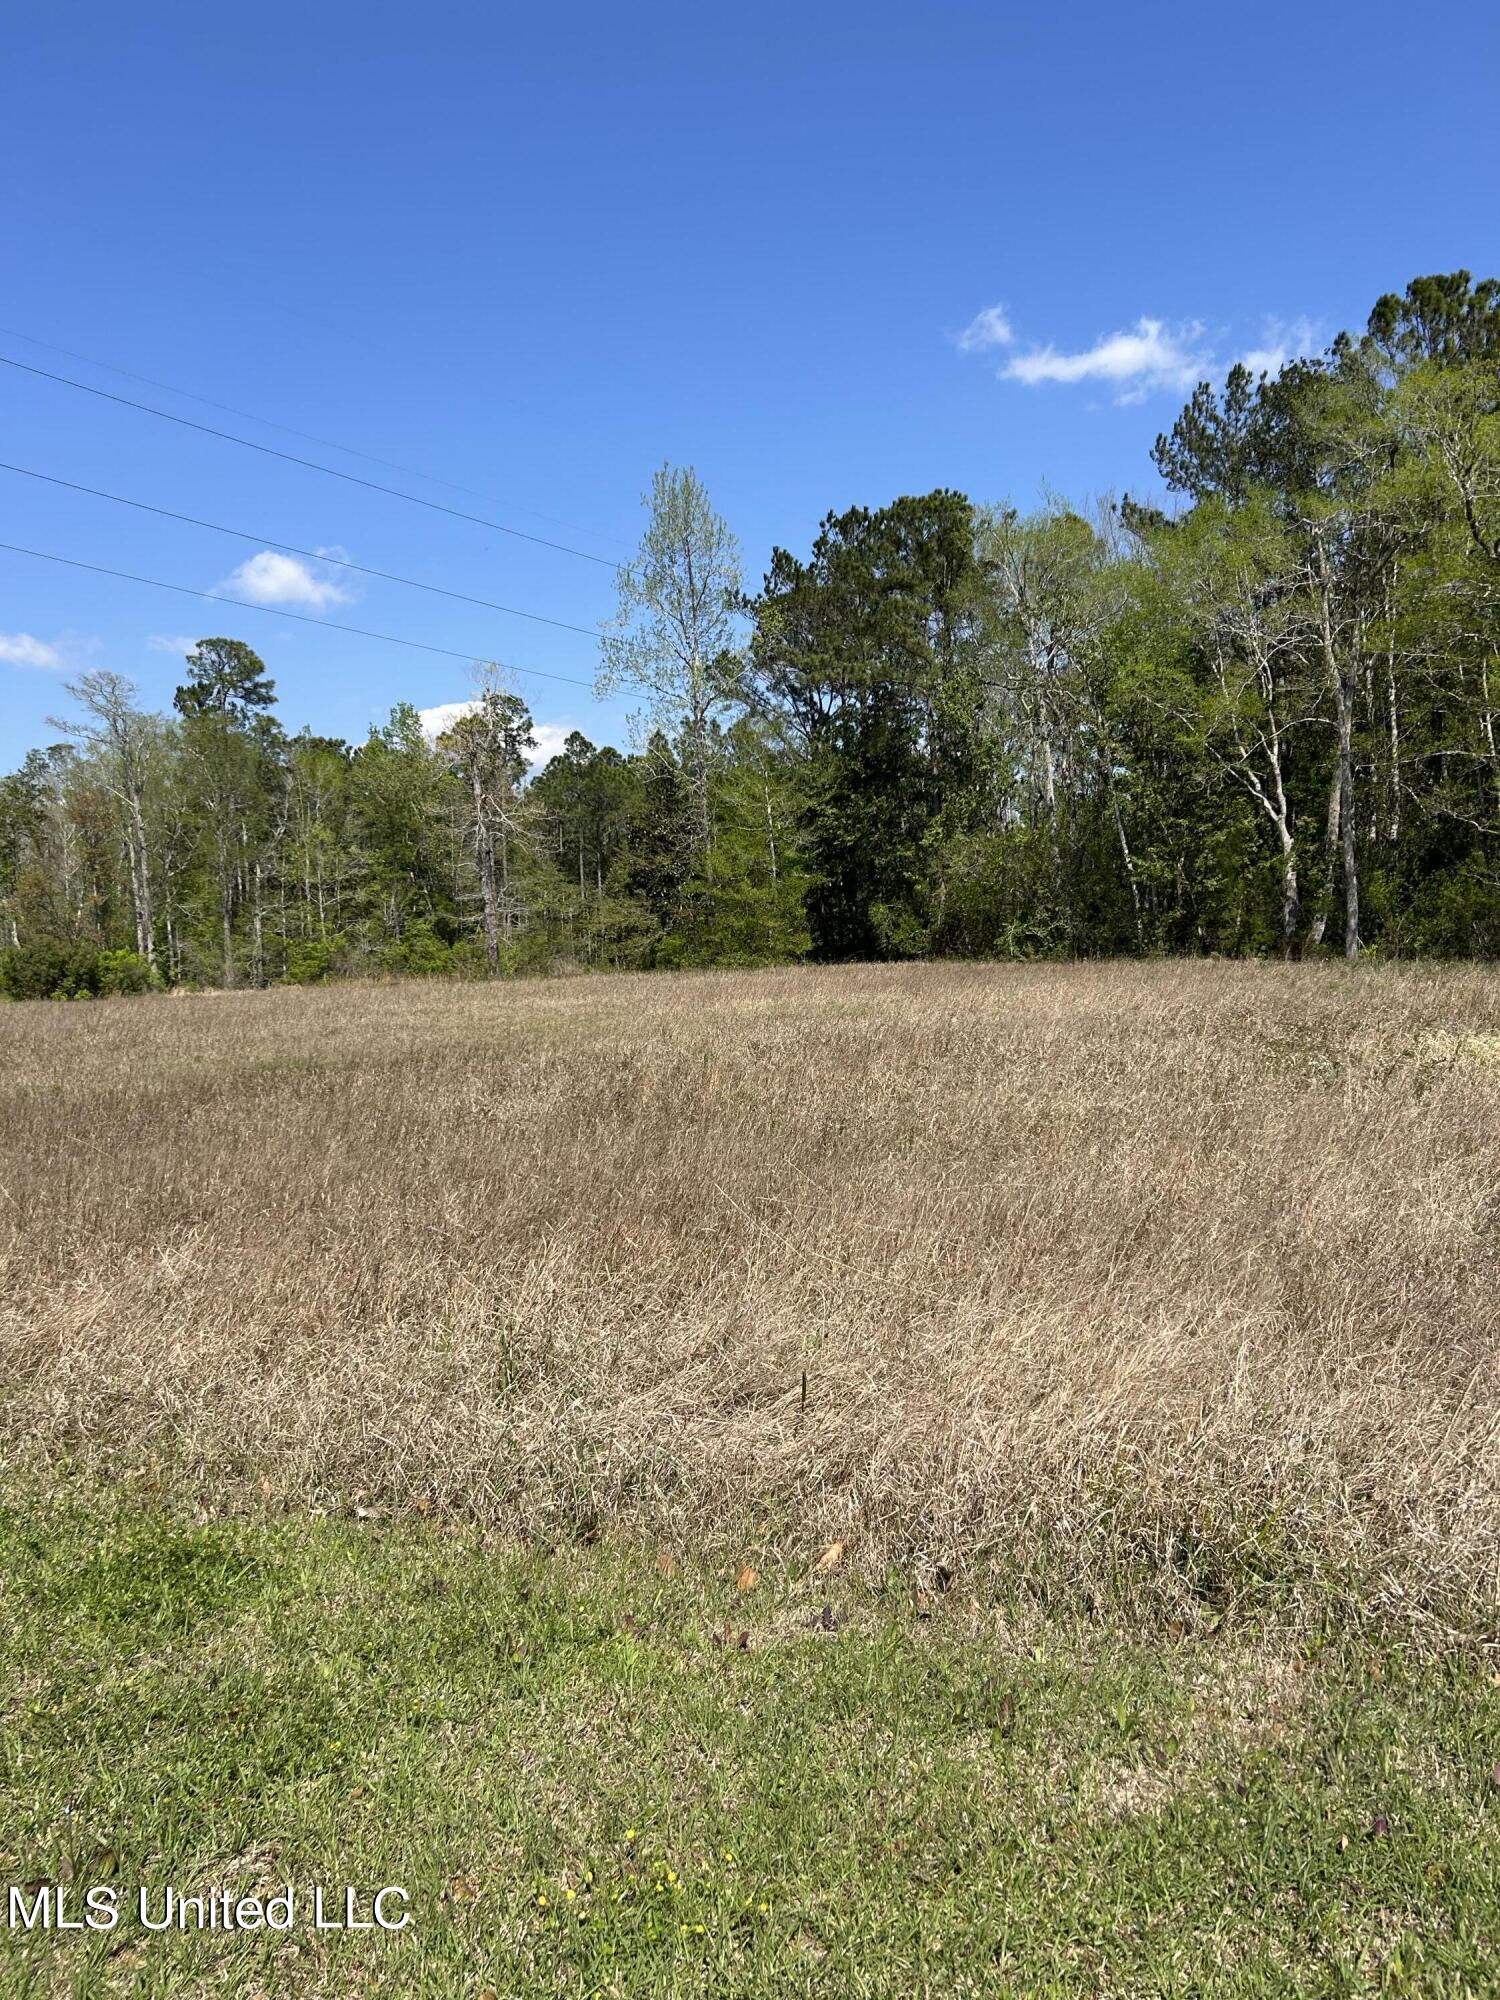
949,1479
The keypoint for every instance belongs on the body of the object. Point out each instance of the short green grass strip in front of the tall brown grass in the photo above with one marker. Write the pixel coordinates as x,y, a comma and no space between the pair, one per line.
589,1793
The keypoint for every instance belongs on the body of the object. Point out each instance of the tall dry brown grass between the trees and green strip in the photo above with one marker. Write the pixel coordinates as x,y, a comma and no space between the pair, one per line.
1149,1279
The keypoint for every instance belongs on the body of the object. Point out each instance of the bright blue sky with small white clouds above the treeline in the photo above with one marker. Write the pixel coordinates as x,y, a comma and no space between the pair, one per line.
825,253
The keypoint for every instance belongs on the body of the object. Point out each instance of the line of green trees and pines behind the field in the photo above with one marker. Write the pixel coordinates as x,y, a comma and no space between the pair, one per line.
1253,721
